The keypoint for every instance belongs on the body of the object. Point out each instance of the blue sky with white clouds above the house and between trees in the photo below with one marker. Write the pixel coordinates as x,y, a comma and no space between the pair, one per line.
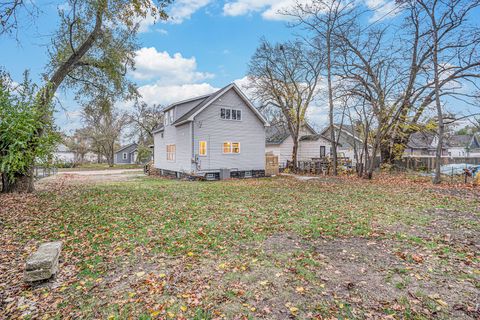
205,46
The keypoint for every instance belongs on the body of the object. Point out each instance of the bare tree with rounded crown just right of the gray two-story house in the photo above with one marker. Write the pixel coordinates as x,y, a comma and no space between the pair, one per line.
286,76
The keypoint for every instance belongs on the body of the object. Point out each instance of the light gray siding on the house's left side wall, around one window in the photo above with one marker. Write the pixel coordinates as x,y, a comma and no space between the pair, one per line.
181,137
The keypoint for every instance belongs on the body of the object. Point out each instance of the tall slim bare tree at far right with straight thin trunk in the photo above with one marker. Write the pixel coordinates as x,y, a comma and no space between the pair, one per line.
454,50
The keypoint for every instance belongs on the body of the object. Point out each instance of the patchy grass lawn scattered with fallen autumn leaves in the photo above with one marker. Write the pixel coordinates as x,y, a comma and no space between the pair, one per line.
273,248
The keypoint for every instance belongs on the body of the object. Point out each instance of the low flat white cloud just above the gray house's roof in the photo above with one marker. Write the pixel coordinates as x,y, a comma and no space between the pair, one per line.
166,94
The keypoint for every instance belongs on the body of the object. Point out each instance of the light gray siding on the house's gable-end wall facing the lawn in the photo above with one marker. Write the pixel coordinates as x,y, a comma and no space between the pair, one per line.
250,132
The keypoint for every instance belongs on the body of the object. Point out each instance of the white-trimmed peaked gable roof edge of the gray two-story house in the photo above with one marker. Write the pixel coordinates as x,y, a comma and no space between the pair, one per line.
205,101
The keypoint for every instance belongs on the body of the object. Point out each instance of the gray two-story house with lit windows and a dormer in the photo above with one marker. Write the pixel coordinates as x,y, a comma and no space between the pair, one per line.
216,135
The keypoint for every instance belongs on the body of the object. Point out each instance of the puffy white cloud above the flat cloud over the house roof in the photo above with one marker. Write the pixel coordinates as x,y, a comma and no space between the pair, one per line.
151,64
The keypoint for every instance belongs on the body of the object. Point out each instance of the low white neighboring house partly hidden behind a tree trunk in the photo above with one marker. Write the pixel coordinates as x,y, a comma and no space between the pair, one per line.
311,144
